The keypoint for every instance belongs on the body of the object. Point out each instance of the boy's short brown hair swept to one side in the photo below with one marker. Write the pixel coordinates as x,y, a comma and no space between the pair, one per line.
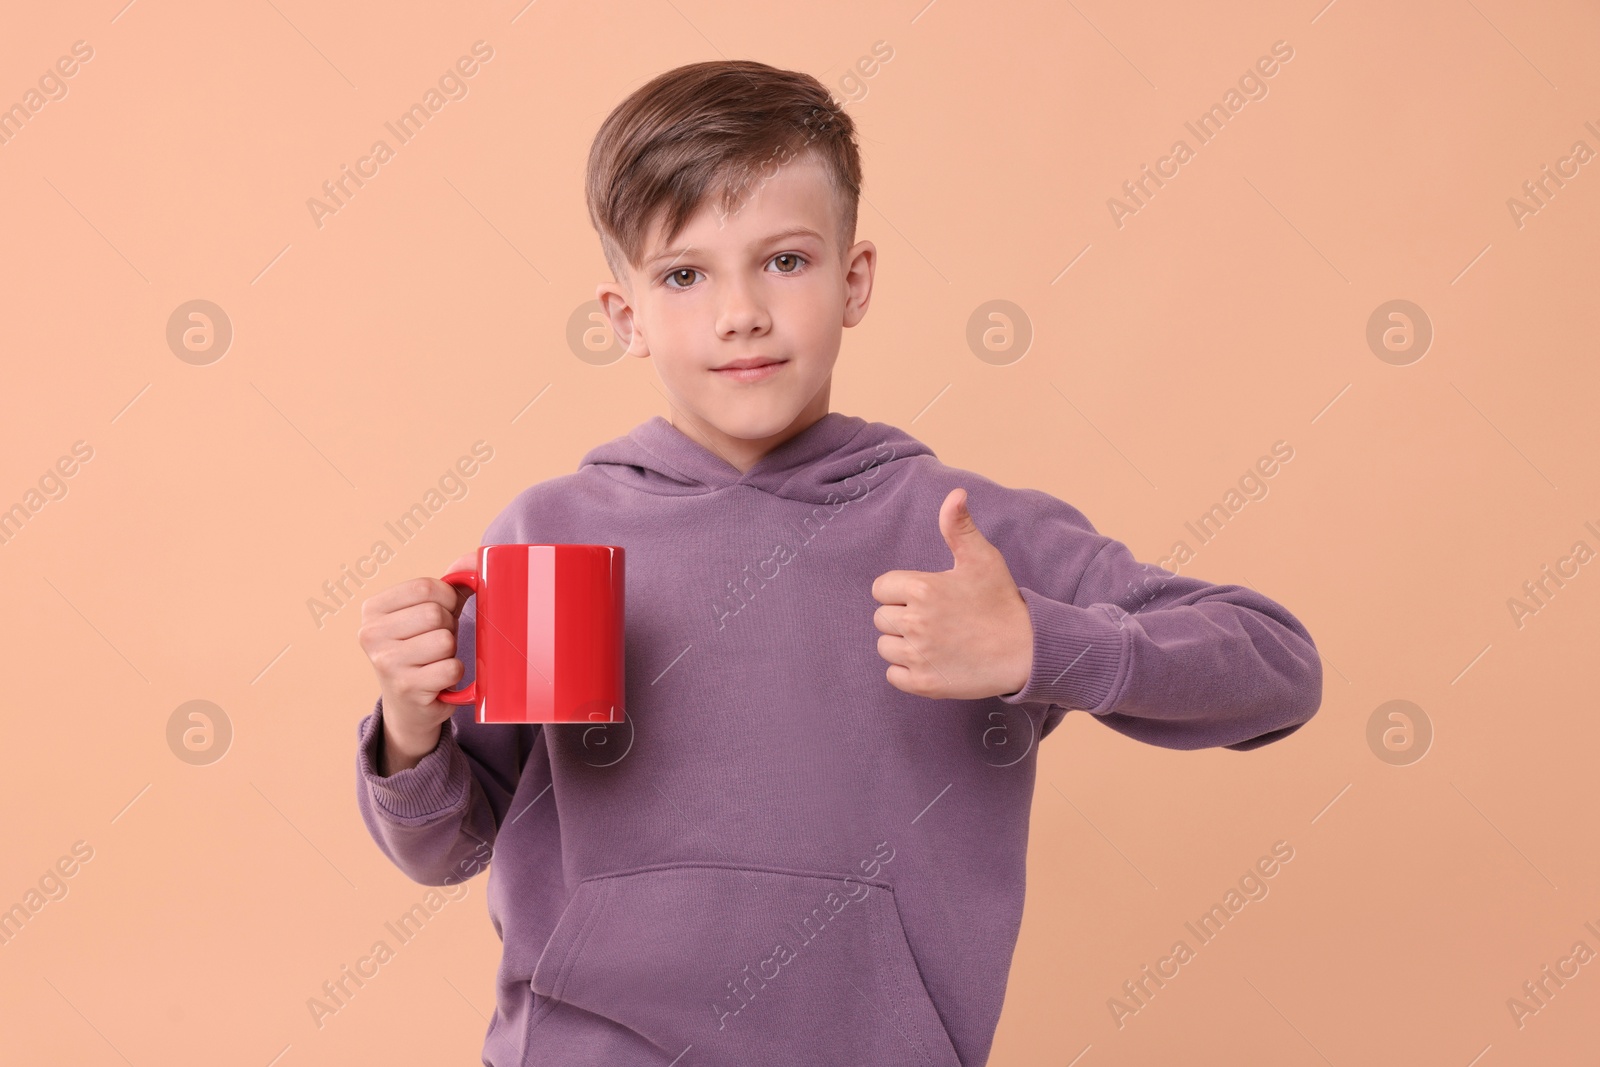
710,127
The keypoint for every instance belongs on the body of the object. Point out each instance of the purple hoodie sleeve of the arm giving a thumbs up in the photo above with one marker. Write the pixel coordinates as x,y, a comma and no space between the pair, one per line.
1167,660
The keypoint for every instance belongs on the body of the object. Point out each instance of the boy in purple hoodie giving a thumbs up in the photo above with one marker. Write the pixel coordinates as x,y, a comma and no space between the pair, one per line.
807,842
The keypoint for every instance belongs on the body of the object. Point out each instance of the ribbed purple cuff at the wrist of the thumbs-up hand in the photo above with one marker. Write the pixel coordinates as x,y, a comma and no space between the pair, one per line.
1079,655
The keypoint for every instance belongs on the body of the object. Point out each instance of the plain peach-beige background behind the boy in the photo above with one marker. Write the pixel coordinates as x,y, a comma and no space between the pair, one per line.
1225,316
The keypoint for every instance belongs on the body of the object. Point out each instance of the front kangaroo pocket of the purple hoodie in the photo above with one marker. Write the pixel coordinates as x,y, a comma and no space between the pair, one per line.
746,962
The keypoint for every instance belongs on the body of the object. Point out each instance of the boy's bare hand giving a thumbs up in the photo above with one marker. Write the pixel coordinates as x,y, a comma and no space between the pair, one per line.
959,634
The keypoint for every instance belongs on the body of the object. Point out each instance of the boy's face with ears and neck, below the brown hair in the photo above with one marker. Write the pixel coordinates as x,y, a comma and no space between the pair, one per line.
748,287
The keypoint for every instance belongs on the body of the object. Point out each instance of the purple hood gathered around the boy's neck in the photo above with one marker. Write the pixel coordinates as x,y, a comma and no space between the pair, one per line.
812,466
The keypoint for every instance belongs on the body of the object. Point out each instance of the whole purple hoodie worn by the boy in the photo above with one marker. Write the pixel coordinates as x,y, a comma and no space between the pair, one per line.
780,858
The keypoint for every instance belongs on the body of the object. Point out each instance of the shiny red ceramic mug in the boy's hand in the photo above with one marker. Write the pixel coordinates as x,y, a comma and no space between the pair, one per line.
550,634
